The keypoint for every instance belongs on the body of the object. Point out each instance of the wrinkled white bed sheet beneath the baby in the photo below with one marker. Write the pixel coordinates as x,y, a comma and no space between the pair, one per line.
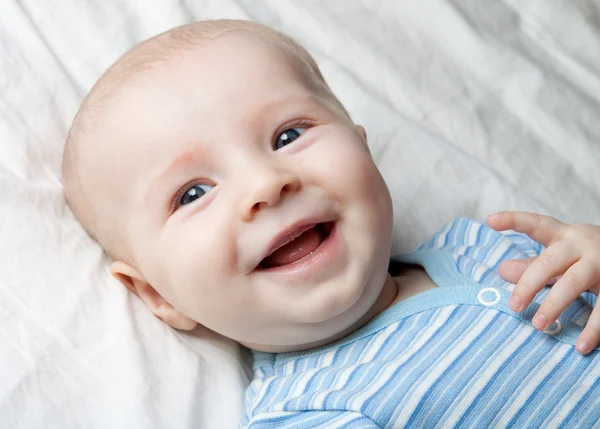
470,107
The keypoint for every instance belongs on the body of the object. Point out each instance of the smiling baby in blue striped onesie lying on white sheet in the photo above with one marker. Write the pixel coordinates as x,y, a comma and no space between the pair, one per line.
232,189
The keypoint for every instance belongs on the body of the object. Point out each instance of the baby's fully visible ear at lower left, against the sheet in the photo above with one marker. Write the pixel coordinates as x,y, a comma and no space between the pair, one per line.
135,282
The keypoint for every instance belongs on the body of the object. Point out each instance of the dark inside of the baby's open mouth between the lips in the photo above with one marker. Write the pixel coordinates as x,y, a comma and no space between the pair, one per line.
299,247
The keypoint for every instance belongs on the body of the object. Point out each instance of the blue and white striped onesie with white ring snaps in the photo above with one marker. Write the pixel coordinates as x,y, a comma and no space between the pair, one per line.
453,356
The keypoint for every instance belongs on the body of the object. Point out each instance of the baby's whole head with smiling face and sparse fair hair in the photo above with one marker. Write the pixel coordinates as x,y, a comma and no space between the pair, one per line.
199,155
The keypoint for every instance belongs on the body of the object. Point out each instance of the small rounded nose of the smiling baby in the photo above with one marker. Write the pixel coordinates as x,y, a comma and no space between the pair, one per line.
267,188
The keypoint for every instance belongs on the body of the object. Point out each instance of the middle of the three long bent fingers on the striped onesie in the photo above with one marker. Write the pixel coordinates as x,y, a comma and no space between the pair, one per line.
575,281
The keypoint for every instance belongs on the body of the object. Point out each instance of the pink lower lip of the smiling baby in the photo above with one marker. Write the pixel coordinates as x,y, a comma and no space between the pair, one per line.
312,262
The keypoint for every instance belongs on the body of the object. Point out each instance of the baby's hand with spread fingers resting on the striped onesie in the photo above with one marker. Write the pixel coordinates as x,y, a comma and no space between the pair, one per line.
571,261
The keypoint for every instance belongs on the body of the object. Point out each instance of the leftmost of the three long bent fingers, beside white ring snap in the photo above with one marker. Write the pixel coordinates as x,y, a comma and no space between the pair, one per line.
552,262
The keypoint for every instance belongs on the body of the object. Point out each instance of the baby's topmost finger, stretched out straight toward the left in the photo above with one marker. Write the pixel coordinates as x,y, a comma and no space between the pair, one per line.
543,229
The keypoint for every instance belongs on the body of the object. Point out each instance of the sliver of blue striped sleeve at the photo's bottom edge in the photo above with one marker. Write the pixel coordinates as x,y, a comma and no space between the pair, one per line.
312,419
